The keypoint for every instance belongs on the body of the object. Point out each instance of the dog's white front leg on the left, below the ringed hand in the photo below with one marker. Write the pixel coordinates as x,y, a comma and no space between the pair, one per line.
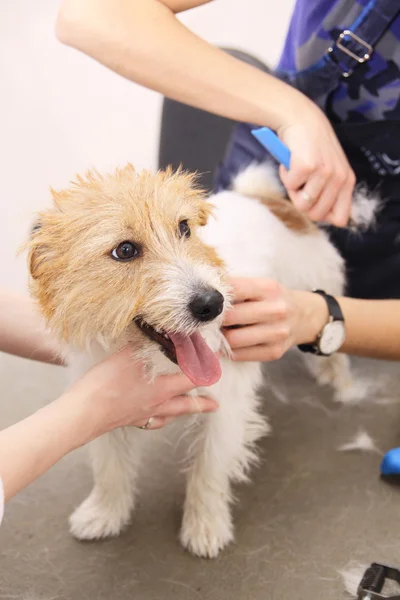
106,511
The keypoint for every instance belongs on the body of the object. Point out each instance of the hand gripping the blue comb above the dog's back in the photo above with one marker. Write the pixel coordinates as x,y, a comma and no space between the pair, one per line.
320,181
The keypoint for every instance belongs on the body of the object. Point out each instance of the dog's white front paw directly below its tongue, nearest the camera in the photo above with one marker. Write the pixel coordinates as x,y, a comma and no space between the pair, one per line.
205,536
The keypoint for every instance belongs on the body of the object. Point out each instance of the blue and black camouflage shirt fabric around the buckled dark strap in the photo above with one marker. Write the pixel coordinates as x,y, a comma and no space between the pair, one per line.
372,91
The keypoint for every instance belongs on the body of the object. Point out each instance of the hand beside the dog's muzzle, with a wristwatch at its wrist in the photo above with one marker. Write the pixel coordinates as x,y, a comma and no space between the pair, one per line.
272,319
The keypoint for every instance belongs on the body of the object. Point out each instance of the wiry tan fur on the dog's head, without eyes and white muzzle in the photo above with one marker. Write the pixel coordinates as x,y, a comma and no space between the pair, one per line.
82,291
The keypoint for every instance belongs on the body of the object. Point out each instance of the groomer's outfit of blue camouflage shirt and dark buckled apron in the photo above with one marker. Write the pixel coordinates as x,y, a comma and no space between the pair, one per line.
345,56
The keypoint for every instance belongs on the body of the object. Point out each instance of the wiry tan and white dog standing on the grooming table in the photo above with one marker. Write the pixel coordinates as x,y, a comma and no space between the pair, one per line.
142,258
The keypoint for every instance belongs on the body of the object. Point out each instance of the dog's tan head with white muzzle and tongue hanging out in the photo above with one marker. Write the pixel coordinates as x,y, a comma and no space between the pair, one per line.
118,257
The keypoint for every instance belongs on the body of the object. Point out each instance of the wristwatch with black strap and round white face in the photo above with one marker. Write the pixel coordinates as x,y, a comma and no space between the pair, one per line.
332,335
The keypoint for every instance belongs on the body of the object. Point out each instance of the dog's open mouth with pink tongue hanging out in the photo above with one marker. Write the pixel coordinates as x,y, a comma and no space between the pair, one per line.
190,352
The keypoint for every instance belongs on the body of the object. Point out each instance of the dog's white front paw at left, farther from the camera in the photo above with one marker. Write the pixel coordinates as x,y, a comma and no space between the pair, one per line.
94,520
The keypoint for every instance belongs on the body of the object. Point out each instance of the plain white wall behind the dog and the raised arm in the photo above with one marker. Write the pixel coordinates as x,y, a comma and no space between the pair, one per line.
60,112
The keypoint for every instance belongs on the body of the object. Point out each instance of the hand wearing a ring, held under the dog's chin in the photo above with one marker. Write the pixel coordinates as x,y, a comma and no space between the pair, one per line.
116,393
